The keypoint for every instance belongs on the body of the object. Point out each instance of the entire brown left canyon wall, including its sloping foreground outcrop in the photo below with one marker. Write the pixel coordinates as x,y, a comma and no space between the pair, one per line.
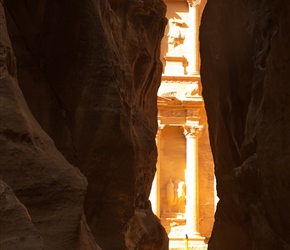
89,72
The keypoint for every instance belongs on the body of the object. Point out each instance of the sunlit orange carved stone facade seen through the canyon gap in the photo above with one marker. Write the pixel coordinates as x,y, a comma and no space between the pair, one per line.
183,195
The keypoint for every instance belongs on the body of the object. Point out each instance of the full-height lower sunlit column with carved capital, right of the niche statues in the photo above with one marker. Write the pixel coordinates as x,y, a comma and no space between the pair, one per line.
191,178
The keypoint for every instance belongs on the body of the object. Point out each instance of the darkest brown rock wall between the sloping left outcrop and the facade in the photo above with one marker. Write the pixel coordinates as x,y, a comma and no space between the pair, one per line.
89,72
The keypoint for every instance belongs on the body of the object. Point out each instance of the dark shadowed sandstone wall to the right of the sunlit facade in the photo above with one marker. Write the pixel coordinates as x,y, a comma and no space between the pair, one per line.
245,73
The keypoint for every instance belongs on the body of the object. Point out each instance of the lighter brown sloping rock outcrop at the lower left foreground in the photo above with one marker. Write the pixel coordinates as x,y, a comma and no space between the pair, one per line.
51,191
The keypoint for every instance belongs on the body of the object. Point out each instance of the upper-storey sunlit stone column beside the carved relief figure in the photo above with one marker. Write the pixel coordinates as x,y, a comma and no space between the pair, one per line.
192,36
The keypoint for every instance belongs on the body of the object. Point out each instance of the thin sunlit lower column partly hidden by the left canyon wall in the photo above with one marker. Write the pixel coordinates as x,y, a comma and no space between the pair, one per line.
155,189
